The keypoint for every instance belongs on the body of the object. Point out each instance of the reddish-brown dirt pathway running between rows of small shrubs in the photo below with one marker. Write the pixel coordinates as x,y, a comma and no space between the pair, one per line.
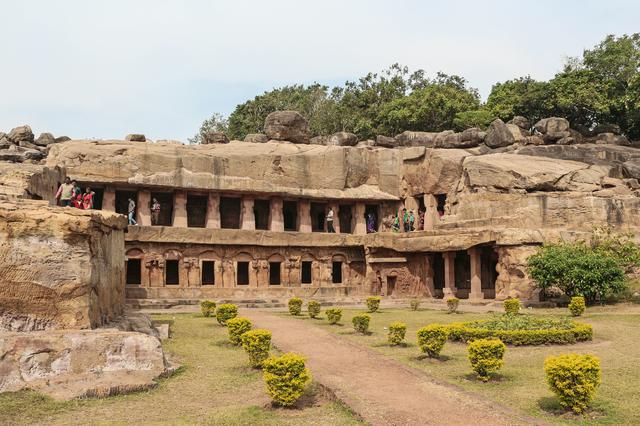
380,390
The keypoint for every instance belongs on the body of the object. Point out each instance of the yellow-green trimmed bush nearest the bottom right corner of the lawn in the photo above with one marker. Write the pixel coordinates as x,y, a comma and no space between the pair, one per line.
574,379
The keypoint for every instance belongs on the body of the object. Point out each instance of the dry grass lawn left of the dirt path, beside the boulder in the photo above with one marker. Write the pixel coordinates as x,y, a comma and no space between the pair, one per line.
215,386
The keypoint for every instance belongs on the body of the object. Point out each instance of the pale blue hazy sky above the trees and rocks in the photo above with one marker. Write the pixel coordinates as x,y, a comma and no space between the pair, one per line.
107,68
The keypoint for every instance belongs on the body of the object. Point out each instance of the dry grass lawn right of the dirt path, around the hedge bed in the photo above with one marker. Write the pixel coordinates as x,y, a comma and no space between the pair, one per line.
521,383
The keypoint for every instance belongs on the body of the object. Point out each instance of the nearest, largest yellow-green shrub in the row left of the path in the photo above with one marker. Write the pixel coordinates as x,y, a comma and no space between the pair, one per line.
286,378
